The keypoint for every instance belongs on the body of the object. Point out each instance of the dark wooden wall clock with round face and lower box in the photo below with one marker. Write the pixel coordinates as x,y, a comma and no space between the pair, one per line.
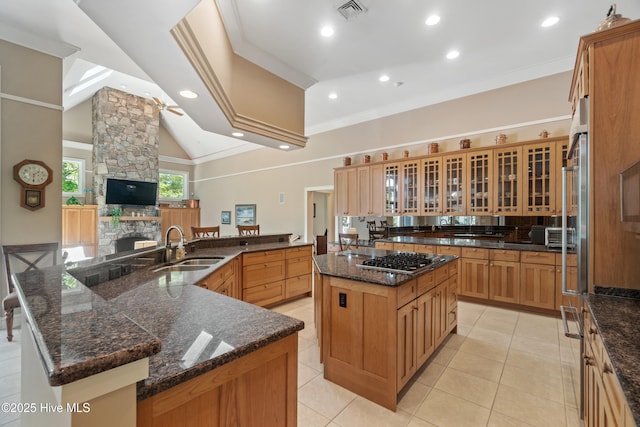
33,176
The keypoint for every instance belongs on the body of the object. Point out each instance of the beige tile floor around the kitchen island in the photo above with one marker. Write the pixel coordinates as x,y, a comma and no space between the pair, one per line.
503,368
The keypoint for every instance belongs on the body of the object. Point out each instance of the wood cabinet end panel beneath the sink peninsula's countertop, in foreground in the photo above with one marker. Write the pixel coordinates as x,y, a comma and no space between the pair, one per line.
257,389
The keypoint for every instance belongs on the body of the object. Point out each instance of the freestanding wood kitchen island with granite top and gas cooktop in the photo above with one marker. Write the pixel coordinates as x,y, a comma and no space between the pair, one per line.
376,327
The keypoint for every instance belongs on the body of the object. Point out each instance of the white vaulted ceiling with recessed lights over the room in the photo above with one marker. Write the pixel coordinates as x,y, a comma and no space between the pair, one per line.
127,45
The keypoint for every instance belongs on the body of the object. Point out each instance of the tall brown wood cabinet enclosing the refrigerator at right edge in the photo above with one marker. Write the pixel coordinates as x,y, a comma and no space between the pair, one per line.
606,70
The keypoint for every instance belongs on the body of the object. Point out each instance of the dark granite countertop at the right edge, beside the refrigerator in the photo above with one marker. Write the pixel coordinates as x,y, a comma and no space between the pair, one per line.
617,319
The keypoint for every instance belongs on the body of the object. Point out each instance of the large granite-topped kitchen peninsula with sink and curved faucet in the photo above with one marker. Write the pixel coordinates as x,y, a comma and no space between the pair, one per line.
134,338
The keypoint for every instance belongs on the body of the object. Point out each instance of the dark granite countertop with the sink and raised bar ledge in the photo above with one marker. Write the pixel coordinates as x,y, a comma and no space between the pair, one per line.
84,330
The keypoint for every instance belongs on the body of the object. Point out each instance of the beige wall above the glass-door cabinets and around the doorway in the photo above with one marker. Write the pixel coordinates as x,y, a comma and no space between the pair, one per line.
520,111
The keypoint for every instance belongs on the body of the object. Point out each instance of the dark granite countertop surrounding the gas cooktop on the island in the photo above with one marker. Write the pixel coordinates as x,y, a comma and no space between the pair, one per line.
344,264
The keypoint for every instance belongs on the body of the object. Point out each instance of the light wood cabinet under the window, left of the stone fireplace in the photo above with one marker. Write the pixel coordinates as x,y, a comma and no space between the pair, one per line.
80,228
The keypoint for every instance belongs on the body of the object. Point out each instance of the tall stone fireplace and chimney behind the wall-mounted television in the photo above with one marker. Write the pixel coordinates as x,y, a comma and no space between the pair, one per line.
125,146
